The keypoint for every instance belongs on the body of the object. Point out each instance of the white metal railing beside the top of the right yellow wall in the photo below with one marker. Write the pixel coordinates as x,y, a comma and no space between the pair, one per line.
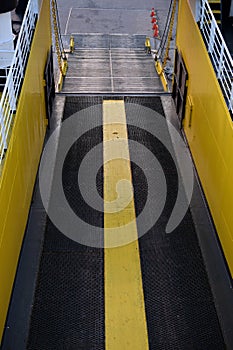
218,51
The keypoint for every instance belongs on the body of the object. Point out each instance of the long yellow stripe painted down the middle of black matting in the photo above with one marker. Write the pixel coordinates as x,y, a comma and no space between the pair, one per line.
125,318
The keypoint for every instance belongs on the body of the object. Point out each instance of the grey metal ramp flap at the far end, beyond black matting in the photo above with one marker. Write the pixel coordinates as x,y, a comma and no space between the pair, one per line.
103,63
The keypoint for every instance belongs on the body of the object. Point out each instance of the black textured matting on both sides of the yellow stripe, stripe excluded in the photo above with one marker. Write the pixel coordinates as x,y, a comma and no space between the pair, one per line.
68,310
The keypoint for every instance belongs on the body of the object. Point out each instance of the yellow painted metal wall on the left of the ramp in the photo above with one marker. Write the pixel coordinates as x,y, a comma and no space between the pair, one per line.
22,158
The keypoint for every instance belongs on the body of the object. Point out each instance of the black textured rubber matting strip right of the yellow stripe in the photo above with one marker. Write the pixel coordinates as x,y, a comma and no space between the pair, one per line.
179,305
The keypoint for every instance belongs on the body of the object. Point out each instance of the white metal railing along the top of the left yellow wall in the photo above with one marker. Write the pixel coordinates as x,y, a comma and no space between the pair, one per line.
14,80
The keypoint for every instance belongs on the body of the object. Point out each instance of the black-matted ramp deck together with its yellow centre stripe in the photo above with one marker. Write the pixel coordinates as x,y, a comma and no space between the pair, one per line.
78,286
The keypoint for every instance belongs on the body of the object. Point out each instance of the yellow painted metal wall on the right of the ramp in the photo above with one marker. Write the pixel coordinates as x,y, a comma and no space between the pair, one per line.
210,134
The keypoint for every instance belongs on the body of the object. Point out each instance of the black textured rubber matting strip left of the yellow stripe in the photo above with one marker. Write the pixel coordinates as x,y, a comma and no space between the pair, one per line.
68,310
